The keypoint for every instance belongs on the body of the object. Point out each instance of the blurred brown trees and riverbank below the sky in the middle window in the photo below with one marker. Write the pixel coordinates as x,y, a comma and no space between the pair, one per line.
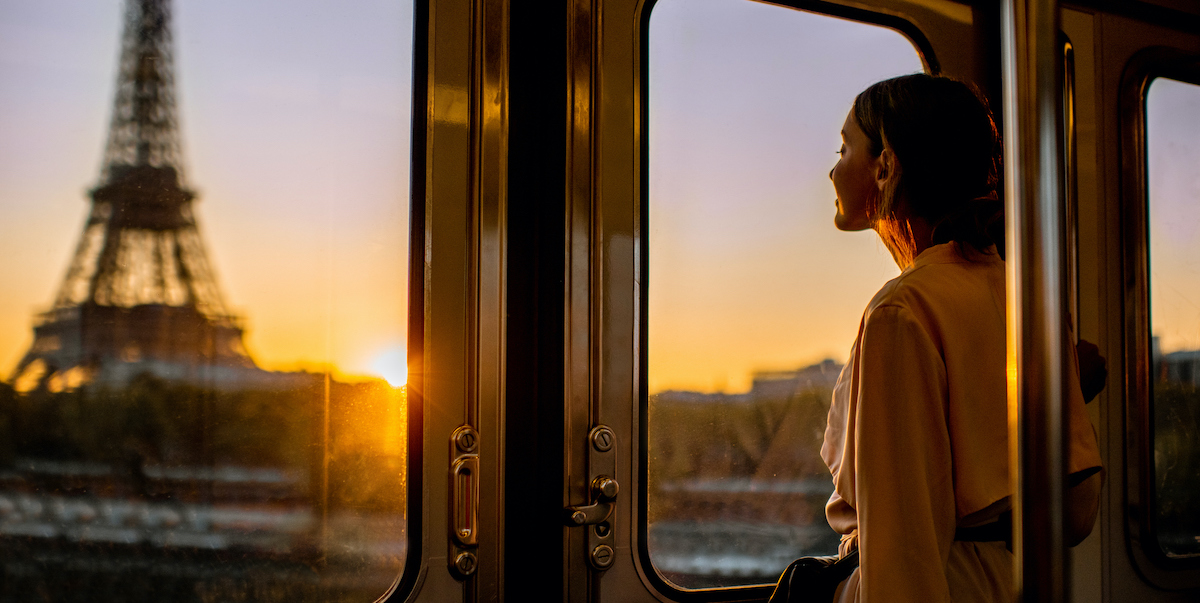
740,477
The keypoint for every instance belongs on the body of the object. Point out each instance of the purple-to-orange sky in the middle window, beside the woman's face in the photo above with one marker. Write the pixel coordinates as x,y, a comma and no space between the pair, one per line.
747,271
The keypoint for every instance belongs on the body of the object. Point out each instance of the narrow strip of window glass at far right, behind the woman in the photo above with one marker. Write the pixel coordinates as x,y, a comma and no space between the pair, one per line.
1173,139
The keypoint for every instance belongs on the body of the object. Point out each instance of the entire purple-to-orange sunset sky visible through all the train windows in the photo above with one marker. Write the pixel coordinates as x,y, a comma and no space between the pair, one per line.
296,118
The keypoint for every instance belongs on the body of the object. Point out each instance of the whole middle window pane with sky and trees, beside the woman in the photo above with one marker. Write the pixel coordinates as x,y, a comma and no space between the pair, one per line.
753,297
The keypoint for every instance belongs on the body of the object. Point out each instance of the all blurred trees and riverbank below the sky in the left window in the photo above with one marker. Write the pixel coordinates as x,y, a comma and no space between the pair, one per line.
307,447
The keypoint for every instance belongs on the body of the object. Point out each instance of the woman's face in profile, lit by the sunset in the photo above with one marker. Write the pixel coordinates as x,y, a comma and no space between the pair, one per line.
854,178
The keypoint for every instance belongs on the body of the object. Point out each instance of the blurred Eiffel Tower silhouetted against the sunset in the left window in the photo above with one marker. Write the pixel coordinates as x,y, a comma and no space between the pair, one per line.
140,295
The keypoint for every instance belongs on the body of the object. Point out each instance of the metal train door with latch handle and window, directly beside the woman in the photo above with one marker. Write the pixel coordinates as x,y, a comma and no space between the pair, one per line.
721,481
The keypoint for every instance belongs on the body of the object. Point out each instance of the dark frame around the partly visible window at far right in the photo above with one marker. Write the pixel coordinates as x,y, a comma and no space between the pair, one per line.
1142,71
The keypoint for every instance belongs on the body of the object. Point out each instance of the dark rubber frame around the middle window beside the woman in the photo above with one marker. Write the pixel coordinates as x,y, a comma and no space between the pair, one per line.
651,575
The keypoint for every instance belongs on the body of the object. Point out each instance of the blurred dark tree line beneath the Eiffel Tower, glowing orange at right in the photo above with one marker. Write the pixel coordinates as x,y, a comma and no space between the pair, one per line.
153,422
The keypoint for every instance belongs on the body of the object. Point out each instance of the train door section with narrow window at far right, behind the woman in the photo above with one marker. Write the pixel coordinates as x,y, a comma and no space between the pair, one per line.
1135,75
